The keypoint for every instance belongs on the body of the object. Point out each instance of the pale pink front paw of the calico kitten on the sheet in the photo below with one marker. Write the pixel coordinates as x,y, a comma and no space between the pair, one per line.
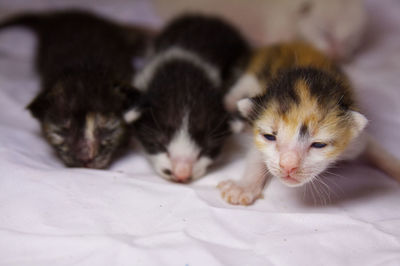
234,193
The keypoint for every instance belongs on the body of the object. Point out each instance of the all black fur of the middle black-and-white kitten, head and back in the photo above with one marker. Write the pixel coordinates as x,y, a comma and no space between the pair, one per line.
181,88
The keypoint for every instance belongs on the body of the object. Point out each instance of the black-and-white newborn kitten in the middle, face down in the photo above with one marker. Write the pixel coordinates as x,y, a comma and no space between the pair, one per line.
184,124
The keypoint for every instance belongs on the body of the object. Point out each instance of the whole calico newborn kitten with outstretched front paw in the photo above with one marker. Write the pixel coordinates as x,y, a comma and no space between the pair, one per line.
303,117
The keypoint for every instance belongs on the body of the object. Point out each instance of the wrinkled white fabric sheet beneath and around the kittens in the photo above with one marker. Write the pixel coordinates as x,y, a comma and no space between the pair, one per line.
52,215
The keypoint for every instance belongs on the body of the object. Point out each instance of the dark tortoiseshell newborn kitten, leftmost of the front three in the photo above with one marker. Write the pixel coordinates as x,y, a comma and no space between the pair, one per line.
85,67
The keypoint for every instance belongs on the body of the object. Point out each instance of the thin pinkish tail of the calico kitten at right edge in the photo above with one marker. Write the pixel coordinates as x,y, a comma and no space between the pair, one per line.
382,159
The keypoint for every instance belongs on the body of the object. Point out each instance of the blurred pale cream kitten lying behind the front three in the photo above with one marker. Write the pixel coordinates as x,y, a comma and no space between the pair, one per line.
335,27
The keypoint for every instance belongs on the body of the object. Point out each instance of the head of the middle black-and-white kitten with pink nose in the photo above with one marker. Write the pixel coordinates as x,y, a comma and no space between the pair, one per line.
181,148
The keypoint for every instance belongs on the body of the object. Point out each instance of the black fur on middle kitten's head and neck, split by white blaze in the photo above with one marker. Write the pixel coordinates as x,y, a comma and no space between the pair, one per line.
178,89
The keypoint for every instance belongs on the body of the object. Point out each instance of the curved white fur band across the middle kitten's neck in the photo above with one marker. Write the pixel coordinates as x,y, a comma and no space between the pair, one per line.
146,75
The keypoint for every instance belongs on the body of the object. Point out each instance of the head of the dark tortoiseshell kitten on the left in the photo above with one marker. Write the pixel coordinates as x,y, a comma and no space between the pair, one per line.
84,124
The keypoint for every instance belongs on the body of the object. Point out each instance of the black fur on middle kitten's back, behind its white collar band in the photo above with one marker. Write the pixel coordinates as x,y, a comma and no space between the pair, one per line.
210,37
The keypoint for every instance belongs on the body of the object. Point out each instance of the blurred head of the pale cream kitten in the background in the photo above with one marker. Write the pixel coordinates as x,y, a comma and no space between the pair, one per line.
334,27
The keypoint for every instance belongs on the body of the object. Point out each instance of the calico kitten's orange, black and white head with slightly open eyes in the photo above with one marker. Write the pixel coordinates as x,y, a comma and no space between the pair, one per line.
302,124
